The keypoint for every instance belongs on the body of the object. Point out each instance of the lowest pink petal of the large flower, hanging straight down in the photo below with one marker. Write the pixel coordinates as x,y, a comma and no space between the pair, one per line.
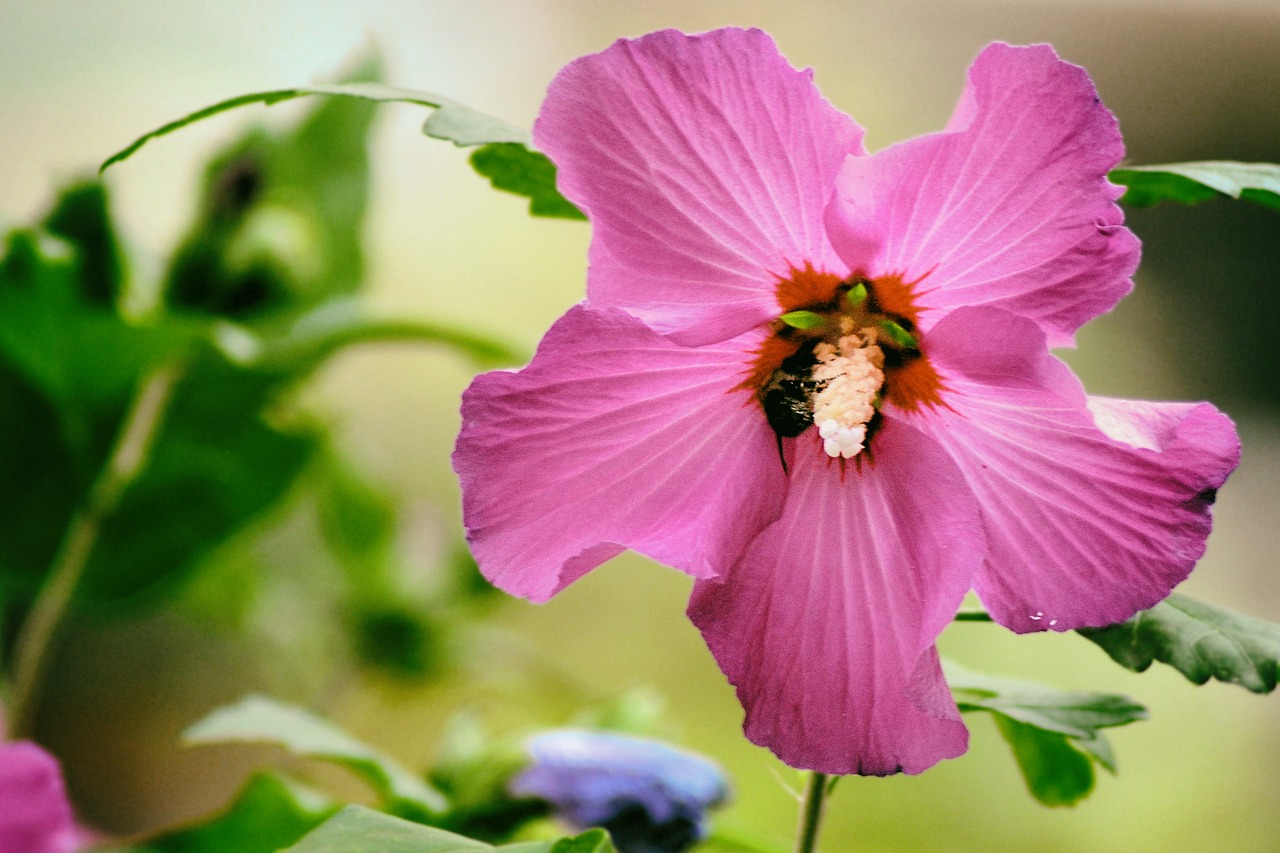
828,624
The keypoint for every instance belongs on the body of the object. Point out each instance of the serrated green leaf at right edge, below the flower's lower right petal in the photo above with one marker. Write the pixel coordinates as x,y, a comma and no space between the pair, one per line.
1200,641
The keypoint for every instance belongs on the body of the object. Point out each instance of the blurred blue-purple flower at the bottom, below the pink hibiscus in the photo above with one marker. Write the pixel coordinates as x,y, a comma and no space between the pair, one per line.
651,797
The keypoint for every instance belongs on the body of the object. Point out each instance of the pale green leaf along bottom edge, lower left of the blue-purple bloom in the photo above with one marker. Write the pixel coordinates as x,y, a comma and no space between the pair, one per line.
362,831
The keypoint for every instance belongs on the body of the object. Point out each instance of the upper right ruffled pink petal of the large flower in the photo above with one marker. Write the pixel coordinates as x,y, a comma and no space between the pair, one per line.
1011,207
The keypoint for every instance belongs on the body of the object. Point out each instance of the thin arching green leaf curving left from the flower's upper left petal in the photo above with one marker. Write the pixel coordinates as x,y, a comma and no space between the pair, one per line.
451,121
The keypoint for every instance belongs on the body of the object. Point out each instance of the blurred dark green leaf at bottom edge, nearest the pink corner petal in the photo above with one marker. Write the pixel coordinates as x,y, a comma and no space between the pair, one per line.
267,815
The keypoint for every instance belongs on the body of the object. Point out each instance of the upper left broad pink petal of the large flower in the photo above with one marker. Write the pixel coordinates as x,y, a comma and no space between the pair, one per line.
705,165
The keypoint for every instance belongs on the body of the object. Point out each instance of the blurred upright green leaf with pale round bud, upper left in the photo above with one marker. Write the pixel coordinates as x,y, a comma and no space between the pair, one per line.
281,216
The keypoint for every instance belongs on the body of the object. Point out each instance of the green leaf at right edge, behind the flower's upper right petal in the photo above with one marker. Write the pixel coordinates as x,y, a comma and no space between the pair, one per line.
1194,183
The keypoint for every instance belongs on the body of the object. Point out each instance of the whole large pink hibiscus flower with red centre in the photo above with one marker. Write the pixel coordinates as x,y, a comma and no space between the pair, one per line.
820,382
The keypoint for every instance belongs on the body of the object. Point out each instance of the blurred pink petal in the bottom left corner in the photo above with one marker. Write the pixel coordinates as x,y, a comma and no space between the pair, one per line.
35,816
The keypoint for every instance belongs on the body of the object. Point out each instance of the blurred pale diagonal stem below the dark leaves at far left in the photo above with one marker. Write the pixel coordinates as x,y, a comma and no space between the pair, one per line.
127,460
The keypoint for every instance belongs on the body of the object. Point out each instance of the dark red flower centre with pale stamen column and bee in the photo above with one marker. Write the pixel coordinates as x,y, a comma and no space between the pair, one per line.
838,353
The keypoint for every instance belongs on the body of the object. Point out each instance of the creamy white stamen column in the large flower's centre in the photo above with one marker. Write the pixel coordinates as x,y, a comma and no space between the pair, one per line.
853,372
